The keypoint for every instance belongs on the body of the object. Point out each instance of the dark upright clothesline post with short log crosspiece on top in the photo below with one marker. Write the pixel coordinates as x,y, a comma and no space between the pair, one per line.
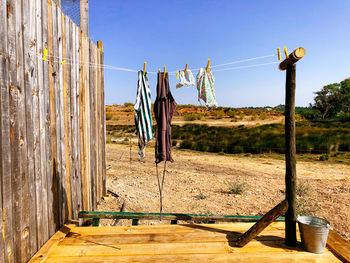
291,176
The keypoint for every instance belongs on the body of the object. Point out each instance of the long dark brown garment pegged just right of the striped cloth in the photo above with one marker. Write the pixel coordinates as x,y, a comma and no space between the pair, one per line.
164,108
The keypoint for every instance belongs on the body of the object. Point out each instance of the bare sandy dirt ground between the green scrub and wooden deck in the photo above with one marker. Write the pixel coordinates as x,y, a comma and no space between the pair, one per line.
200,182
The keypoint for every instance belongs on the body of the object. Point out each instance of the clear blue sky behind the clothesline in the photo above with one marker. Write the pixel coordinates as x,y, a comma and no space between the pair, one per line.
172,33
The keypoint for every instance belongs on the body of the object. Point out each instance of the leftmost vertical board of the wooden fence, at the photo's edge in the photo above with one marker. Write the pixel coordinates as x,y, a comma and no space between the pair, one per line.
6,47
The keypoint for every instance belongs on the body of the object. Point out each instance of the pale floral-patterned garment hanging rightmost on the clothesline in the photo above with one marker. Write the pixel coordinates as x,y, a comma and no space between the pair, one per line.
205,87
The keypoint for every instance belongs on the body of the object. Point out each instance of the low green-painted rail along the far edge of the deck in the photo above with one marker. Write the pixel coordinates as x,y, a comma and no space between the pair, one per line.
173,217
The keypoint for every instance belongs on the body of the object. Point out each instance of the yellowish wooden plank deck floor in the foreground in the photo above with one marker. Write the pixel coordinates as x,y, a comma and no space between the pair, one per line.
178,243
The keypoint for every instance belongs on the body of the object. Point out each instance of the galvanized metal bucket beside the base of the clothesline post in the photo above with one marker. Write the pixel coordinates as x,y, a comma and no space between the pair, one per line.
313,233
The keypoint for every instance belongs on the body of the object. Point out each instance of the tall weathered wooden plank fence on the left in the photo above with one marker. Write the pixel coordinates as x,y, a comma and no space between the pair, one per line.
52,128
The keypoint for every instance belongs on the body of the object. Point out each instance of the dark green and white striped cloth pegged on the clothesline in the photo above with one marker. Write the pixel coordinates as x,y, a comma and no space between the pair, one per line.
143,115
